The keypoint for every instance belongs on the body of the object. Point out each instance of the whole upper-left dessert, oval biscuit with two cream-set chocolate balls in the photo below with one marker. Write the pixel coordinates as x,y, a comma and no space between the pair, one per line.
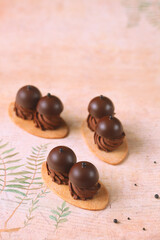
37,115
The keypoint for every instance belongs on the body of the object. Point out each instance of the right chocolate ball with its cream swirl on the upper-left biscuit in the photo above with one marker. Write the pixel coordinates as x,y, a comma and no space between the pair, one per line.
47,115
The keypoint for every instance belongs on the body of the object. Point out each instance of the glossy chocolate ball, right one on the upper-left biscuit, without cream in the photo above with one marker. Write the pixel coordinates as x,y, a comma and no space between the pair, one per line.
50,105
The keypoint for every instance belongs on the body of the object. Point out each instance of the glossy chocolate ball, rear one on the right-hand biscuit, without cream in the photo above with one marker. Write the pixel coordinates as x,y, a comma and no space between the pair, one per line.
101,106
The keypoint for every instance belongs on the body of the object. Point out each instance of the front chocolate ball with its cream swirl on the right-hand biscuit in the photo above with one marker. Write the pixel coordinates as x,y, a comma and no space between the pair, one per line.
109,133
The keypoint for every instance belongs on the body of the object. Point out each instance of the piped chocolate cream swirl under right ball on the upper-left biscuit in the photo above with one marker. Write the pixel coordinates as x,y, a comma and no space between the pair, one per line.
44,123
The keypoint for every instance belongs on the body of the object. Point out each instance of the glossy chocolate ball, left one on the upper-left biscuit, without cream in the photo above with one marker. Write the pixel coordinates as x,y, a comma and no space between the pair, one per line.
28,97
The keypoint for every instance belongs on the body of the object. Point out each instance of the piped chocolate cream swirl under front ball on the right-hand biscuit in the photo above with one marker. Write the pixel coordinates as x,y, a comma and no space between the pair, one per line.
107,144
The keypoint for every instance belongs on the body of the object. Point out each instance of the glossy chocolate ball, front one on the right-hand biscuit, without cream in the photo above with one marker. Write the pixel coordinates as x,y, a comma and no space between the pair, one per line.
109,127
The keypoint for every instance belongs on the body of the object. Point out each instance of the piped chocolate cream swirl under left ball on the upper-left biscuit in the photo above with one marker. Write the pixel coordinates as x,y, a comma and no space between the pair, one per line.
27,114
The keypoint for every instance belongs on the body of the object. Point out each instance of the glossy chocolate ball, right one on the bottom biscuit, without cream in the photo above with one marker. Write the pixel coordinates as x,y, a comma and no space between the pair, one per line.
84,176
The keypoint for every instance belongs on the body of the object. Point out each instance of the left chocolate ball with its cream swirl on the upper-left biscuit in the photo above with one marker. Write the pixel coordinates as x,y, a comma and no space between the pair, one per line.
26,101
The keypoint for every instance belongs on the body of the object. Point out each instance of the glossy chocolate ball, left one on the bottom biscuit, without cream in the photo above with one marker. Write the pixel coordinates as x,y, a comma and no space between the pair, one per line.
61,159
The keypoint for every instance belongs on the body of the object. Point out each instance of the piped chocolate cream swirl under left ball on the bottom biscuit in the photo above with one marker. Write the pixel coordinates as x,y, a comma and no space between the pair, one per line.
59,178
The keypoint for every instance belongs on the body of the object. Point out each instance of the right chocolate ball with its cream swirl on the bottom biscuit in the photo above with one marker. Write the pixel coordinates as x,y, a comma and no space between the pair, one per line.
83,181
